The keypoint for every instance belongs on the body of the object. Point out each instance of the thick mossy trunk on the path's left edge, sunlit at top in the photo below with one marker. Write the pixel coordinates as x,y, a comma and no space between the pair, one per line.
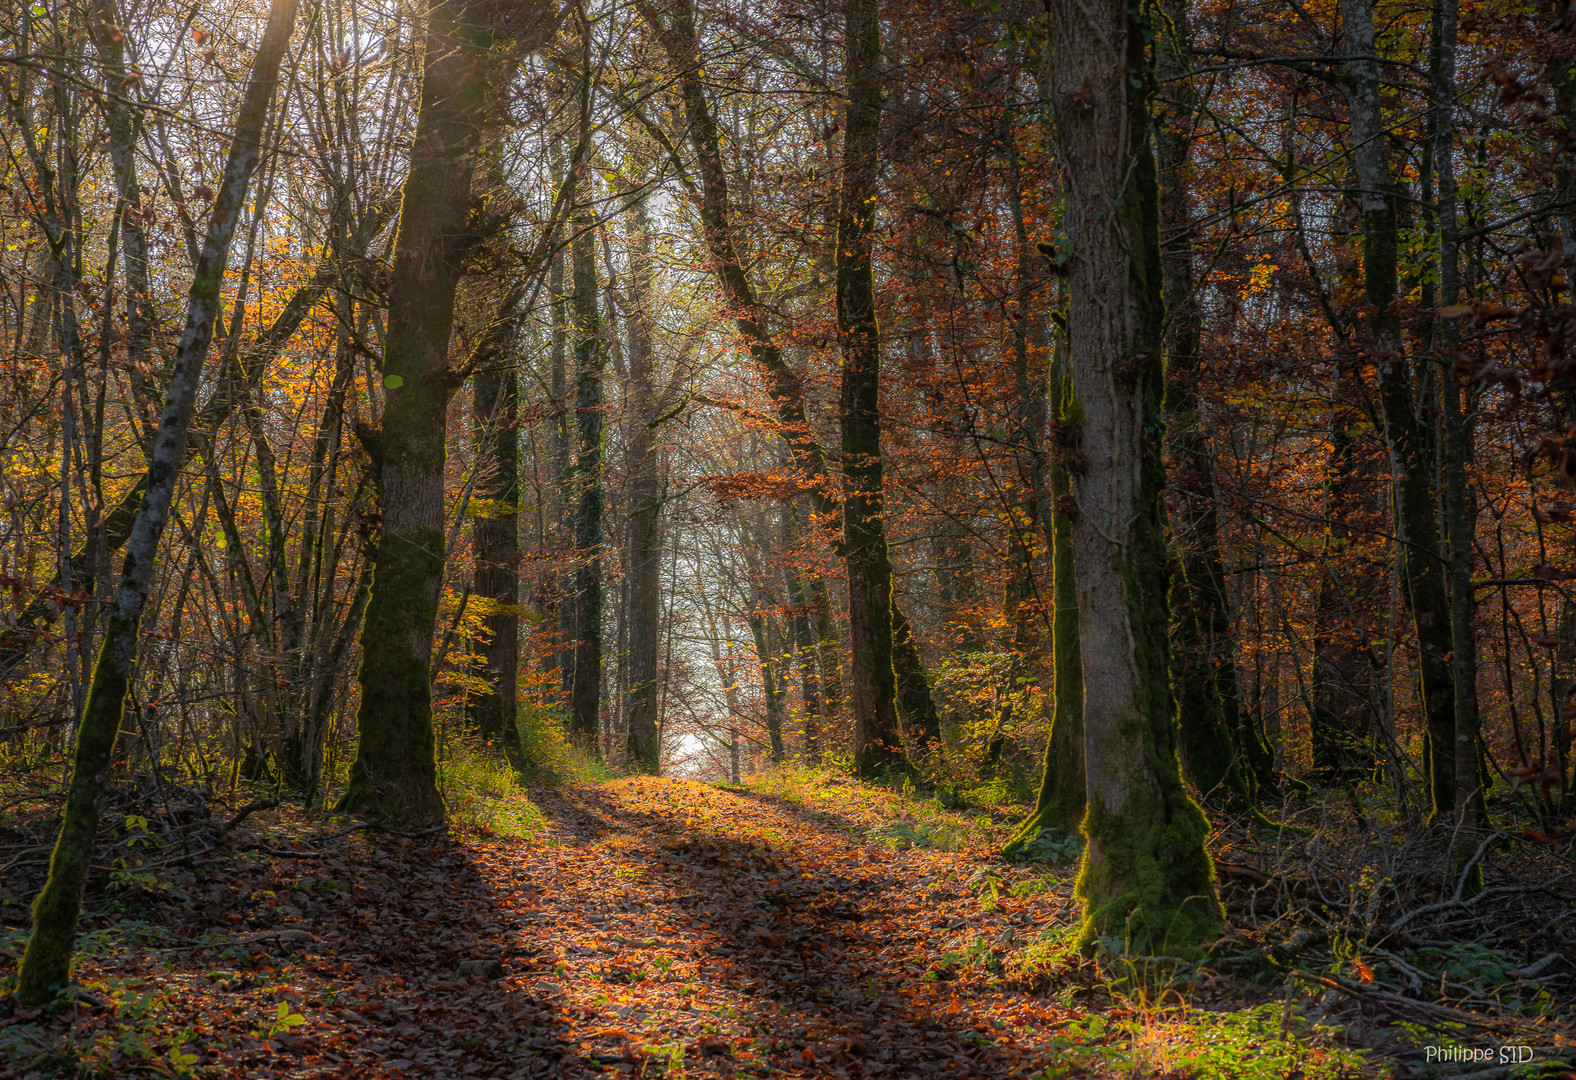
395,773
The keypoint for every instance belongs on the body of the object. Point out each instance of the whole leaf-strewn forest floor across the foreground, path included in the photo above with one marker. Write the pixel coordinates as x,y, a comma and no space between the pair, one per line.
649,928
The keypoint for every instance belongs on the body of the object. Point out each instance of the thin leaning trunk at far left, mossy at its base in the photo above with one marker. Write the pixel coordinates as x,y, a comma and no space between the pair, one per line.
46,964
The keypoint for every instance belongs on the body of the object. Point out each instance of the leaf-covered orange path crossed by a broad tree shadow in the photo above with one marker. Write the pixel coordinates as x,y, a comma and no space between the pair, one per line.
746,936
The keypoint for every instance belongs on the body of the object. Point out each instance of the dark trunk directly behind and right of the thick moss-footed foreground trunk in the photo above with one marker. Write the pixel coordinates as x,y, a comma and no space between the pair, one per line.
1219,753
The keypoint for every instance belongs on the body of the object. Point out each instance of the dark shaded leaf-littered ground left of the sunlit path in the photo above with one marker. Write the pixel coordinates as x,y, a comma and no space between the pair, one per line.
300,959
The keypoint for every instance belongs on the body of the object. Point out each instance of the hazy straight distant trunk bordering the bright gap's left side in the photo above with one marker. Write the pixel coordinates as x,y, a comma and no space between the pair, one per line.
645,508
